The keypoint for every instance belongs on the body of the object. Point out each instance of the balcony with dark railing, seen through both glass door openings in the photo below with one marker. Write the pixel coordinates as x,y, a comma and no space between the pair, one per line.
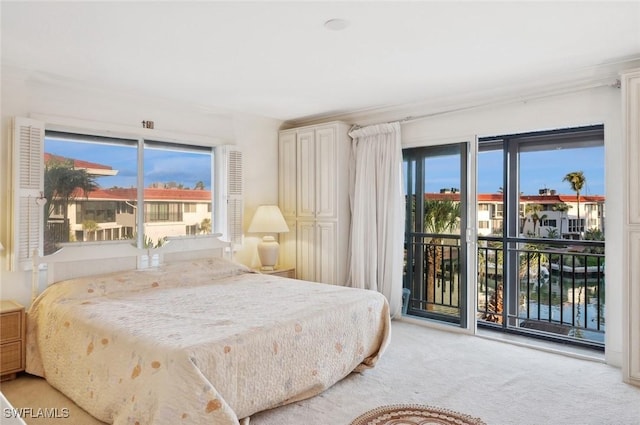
554,290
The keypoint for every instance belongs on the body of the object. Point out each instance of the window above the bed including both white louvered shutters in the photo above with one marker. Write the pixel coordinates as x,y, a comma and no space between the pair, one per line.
104,188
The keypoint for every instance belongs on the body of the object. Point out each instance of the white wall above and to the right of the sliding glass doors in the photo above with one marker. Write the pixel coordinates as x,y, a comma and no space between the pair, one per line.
586,107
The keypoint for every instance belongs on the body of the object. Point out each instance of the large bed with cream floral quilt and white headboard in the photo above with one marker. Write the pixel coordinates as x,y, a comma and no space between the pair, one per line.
193,337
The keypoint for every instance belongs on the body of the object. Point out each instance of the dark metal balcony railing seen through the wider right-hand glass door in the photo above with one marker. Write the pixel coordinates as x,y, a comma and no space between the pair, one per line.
554,288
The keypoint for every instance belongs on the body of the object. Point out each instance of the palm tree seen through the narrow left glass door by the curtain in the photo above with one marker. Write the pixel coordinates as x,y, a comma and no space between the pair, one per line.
440,217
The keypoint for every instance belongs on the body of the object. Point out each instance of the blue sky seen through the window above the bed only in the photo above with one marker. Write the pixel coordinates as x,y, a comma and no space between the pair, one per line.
161,166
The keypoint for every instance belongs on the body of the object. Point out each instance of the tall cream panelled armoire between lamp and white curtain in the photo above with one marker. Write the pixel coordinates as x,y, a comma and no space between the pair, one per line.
314,200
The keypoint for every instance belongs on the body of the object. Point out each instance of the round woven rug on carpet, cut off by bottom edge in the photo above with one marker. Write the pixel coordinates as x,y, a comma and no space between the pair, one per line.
414,414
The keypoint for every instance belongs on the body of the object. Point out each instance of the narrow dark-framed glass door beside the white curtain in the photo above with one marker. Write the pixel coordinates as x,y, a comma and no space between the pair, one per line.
435,278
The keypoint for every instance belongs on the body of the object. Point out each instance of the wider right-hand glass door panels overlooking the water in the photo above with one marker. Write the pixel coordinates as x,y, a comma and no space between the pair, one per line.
541,232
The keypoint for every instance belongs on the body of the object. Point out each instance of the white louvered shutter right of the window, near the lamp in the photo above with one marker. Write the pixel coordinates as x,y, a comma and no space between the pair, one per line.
231,194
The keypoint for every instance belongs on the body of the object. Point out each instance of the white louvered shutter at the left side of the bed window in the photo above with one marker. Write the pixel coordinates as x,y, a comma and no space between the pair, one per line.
27,185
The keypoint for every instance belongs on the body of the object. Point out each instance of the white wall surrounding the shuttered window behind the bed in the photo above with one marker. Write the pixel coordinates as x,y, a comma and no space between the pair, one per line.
255,136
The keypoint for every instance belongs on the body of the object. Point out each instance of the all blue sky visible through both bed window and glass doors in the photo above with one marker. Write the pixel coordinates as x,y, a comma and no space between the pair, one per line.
542,169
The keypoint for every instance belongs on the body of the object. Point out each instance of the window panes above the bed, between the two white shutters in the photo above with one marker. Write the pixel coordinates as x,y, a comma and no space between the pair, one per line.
94,181
